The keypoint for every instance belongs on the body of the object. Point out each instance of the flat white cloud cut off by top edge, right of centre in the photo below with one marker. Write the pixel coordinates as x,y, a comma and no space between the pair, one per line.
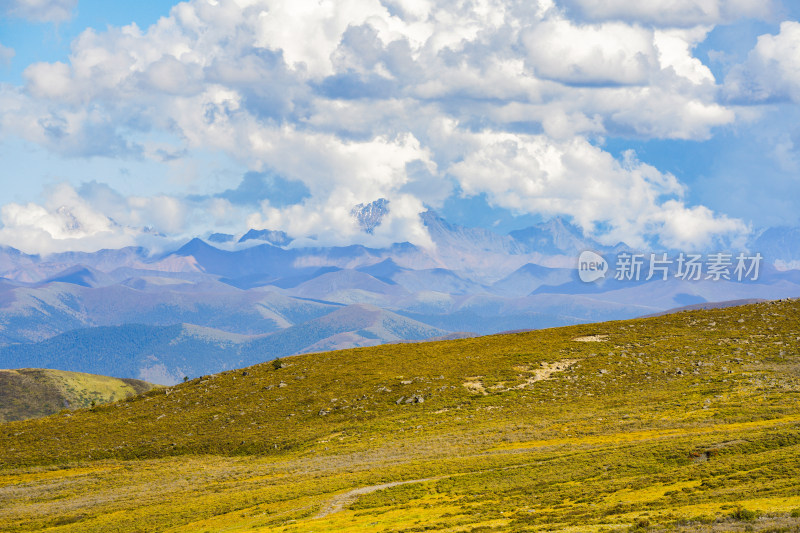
671,13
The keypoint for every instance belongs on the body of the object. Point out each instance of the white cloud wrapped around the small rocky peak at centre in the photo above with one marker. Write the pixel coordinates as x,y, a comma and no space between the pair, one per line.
341,175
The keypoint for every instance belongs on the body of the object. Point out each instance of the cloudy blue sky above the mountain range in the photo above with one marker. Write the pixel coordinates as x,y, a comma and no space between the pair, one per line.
667,123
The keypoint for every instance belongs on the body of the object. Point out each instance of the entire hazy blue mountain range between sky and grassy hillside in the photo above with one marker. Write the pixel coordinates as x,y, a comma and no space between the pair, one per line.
222,302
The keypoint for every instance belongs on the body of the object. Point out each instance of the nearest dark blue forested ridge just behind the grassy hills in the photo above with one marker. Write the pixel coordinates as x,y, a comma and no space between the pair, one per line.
165,354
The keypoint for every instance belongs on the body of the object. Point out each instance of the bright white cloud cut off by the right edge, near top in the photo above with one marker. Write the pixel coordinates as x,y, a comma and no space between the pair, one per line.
772,69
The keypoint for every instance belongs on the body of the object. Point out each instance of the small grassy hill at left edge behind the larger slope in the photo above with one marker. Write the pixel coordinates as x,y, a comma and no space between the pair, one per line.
33,392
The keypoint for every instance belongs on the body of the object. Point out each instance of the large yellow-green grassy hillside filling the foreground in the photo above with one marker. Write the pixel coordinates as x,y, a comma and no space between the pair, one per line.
687,421
